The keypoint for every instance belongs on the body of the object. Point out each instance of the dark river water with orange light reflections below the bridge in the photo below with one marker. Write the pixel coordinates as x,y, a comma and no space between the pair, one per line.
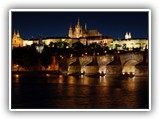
79,92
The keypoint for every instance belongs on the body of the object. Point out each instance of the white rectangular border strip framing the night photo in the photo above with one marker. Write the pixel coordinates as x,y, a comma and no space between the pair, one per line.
79,10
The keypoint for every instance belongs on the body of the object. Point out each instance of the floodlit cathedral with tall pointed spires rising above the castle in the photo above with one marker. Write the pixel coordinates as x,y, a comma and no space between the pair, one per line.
79,32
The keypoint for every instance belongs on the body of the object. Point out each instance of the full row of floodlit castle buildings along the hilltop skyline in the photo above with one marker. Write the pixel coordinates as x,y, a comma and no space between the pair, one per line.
86,37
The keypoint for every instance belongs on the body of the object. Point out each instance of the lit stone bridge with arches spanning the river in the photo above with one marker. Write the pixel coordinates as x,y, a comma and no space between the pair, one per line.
110,65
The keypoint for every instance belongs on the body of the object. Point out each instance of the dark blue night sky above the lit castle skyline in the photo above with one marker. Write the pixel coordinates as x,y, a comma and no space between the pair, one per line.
55,24
